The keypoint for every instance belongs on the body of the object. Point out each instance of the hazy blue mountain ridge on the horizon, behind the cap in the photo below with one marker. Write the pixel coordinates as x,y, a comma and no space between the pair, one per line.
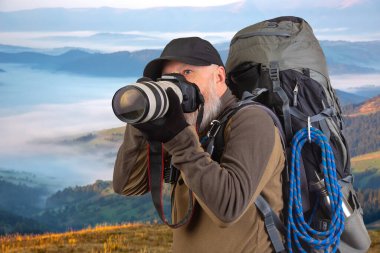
342,58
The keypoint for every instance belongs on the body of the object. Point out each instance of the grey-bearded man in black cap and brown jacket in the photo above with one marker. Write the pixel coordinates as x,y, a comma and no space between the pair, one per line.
225,219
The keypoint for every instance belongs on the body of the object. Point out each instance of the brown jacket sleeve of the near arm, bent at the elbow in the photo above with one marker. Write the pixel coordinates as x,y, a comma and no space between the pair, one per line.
252,153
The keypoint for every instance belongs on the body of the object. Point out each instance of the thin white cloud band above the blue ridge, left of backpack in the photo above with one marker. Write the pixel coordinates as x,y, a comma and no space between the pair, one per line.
108,42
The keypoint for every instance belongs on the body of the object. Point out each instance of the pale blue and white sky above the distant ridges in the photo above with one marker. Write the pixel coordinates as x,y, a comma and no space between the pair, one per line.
107,31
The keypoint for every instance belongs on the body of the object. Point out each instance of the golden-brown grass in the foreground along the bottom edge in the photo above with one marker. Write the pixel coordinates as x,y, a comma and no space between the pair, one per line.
141,238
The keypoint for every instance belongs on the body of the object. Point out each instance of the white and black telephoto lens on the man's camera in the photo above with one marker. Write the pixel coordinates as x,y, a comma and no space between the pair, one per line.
144,101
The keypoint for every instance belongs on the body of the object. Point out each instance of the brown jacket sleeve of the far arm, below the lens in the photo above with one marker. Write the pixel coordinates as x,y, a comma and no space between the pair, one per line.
130,176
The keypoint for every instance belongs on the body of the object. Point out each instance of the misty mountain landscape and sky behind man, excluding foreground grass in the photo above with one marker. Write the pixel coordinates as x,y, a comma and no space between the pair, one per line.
62,61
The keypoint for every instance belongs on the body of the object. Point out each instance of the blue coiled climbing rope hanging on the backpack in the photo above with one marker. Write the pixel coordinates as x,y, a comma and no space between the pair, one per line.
298,231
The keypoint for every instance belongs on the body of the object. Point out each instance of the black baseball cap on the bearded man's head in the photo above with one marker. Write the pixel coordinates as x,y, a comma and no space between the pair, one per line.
191,50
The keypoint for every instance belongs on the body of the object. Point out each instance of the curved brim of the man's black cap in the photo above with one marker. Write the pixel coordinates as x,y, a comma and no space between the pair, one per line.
154,68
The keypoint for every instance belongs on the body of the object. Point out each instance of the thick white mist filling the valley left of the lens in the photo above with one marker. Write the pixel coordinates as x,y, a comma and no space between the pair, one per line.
29,142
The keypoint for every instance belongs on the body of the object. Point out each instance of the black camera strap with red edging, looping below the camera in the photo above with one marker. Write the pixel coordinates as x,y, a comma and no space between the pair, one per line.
156,167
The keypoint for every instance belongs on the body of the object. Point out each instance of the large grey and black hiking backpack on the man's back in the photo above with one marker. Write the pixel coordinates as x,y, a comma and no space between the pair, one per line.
280,64
